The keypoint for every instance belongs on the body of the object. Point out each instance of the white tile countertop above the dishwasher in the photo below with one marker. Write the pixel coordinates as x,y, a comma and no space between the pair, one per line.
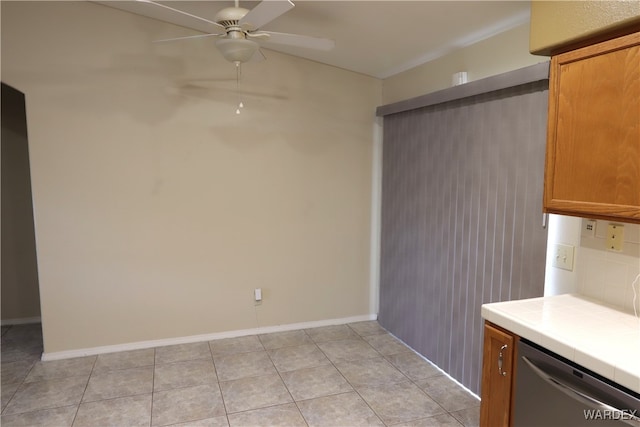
599,337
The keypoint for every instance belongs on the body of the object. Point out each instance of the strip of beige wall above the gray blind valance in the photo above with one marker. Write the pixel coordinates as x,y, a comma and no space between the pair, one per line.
504,52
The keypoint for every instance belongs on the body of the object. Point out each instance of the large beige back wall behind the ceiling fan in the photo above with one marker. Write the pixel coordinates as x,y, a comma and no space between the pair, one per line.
158,209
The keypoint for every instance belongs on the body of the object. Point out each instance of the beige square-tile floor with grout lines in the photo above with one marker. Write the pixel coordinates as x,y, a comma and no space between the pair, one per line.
344,375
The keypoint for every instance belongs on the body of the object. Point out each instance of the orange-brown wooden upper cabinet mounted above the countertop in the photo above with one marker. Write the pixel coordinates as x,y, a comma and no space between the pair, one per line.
593,137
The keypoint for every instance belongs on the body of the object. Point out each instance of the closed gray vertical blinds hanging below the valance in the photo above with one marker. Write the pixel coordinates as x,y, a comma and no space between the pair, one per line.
461,219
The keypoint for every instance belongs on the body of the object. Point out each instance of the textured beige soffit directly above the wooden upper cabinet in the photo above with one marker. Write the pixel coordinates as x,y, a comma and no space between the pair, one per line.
557,23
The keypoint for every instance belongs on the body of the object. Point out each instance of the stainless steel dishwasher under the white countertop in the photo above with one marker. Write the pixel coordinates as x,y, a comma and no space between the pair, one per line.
552,391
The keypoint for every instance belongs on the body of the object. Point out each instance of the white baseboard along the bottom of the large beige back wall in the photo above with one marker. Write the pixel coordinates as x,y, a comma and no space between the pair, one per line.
57,355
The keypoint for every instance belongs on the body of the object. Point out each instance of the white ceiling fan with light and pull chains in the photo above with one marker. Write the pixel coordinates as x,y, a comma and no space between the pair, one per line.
237,28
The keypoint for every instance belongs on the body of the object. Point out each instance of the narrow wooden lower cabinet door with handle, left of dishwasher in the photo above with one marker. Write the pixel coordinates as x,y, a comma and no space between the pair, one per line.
497,377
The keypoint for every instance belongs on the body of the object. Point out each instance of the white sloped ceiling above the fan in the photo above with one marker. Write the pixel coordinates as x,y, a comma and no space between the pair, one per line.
377,38
